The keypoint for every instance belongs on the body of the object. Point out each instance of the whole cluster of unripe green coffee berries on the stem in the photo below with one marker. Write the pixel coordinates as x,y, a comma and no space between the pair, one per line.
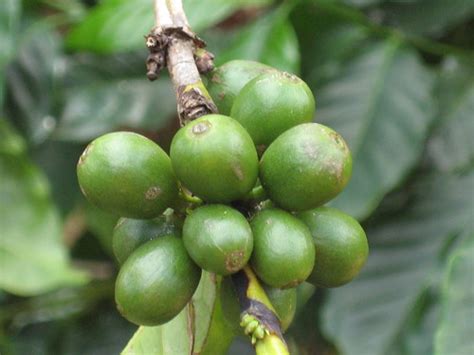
251,184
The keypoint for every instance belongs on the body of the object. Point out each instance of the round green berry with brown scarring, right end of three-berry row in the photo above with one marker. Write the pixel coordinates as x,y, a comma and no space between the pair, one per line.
305,167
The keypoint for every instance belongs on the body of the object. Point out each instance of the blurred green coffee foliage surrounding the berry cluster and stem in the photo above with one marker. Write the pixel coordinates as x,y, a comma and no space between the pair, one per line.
395,78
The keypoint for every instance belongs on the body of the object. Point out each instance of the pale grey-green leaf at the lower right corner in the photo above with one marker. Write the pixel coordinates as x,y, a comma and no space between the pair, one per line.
454,334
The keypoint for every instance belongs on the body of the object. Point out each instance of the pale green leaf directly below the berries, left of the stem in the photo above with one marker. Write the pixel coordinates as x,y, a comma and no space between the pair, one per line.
176,336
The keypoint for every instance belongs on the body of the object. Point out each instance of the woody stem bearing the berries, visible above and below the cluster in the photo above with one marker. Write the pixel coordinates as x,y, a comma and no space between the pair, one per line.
173,44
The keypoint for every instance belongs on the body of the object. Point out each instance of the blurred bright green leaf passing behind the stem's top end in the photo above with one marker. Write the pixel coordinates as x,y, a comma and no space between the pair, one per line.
119,25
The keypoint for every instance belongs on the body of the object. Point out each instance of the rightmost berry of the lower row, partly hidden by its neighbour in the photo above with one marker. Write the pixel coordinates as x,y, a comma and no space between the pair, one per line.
341,246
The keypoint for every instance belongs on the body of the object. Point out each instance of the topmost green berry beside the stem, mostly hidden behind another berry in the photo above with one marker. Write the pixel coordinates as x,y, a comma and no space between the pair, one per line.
226,81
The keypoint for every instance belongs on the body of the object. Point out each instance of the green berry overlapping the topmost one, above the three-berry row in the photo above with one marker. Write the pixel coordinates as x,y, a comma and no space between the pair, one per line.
272,103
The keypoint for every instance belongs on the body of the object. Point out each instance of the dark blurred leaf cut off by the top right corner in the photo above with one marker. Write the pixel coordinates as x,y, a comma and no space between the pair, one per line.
428,16
